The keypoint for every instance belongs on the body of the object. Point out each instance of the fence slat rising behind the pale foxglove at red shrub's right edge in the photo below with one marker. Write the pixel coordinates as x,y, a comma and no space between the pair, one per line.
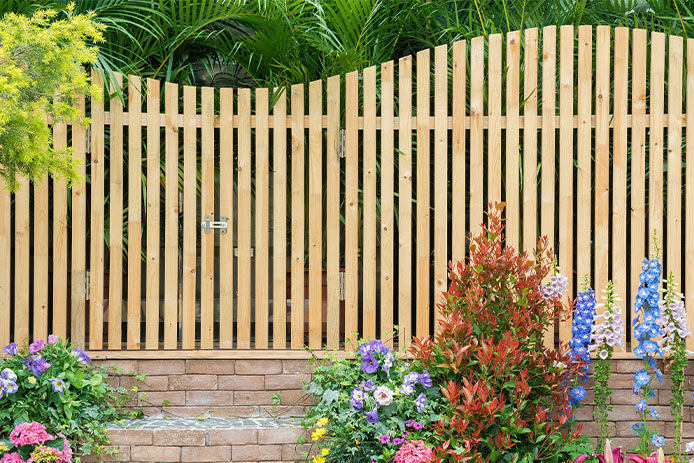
548,155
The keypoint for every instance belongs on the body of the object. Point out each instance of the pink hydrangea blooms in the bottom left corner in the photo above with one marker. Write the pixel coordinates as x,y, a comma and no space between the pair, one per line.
30,443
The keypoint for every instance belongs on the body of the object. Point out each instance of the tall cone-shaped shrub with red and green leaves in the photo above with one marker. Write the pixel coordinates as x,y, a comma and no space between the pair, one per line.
506,391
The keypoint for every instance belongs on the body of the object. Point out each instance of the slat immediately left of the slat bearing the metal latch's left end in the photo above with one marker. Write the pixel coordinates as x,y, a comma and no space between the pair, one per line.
189,217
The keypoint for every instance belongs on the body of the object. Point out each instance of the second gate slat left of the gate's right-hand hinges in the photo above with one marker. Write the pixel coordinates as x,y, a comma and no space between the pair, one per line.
315,214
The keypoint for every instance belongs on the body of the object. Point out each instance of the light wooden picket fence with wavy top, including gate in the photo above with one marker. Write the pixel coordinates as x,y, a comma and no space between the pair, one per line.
341,219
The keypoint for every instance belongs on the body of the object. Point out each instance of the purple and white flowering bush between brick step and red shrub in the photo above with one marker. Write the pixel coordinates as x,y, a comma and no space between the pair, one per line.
370,408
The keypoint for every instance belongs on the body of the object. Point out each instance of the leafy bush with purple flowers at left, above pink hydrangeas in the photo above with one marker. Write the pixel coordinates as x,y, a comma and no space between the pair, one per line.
54,383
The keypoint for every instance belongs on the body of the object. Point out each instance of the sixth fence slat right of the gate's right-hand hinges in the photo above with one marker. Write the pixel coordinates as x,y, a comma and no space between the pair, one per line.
441,174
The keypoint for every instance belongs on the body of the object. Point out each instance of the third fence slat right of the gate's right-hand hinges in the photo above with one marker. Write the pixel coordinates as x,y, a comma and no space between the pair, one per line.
387,200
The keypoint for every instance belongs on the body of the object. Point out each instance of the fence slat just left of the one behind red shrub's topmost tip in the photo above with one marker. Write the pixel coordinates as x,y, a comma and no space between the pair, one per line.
476,134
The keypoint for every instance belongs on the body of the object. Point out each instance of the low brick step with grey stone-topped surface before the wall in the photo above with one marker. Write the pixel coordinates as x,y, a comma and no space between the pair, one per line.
206,440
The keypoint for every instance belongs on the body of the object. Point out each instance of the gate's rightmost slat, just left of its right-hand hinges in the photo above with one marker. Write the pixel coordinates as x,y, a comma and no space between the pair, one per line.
333,213
